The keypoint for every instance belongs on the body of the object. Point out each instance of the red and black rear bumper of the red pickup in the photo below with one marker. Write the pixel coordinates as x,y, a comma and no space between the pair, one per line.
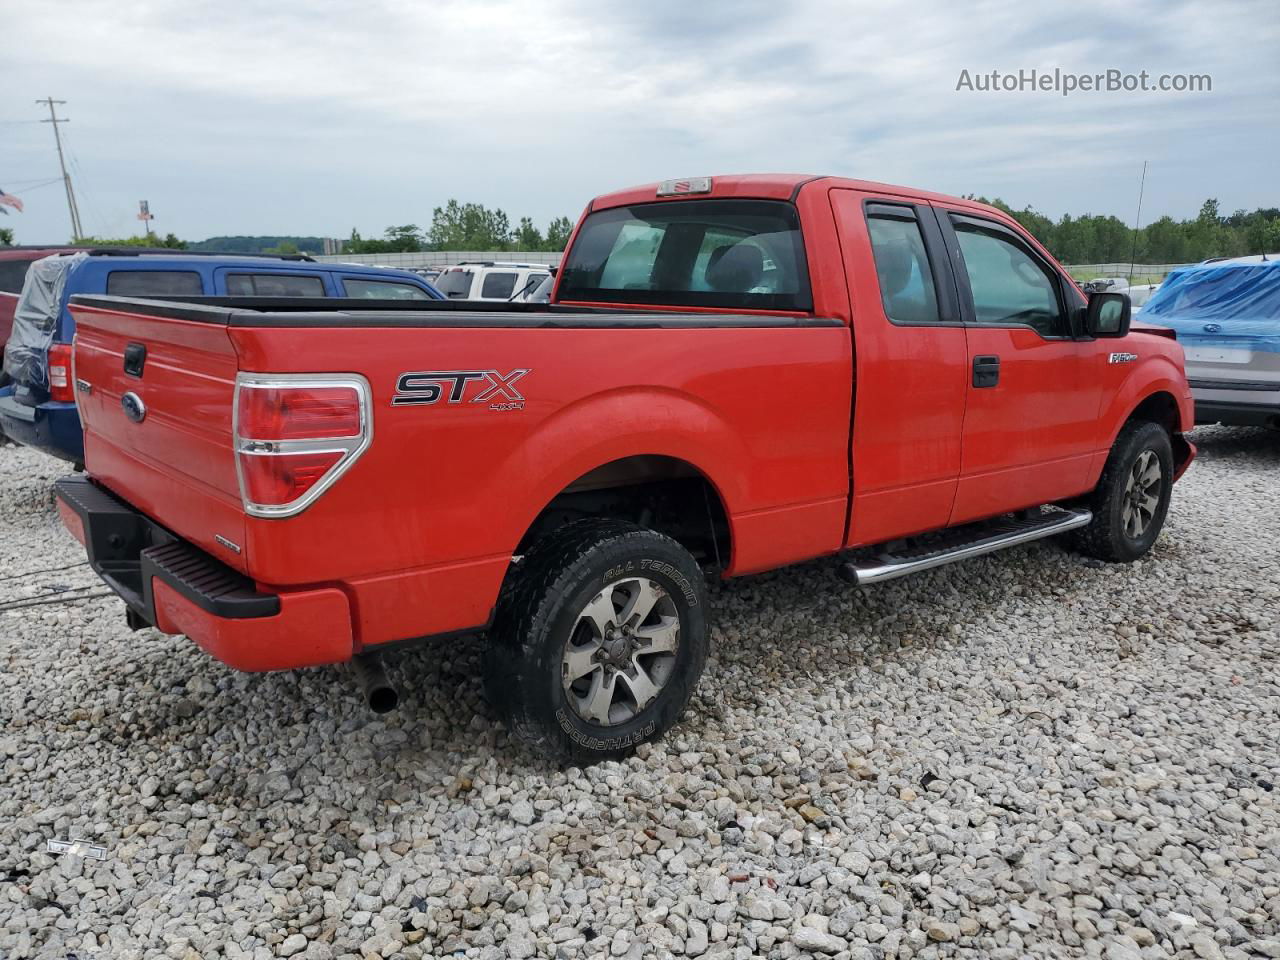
177,588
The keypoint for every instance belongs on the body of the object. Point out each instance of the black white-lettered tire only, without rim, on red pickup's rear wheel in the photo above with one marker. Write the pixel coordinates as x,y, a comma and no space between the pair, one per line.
538,612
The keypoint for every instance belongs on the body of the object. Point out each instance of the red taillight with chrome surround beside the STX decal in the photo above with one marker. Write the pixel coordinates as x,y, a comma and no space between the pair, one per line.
295,436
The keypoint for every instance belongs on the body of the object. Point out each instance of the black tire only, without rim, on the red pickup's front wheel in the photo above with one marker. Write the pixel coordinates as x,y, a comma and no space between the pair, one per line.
1105,536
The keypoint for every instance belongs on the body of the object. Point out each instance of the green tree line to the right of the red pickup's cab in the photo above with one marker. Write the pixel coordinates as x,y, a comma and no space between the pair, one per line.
1108,240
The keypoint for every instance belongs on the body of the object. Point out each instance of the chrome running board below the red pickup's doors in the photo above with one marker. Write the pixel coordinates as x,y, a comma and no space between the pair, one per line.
962,545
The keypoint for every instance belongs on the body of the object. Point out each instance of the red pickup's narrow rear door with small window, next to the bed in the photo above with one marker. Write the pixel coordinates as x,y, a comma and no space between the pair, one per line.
911,363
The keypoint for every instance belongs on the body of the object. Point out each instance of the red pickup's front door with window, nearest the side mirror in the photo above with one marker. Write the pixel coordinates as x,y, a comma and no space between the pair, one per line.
1032,400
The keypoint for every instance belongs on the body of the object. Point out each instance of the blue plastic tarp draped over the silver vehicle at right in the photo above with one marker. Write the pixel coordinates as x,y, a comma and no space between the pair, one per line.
1228,304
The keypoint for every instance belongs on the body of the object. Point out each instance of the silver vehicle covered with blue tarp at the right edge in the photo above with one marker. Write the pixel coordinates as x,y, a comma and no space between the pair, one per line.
1227,316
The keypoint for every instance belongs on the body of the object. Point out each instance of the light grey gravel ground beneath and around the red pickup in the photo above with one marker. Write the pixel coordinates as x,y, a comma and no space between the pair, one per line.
1027,756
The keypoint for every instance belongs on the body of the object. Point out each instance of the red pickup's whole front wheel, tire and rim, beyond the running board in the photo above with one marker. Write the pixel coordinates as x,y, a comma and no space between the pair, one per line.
1132,499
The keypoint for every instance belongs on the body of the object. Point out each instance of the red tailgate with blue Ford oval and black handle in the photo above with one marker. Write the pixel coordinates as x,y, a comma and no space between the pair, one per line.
156,396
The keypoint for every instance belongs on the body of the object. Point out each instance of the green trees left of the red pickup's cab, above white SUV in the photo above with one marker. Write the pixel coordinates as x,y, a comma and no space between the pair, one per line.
467,227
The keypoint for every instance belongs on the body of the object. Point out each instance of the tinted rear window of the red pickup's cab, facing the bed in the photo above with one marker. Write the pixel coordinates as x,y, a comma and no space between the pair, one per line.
738,254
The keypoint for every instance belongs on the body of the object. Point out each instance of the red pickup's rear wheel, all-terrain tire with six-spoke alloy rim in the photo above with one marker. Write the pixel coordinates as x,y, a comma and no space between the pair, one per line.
600,641
